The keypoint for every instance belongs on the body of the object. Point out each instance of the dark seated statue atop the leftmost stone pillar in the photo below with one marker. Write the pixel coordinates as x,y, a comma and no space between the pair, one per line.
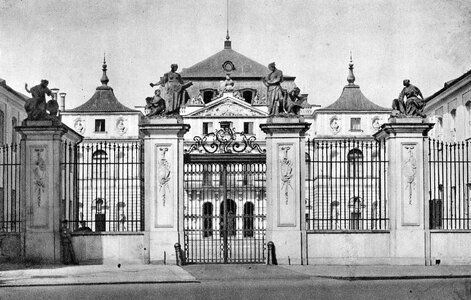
36,107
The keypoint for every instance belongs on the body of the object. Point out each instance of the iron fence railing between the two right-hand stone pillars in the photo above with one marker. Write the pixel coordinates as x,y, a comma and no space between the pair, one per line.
346,185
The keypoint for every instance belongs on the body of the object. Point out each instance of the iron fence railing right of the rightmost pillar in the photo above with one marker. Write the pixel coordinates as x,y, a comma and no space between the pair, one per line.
449,184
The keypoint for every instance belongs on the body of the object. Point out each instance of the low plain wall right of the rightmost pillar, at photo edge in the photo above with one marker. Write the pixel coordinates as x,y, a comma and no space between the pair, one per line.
451,248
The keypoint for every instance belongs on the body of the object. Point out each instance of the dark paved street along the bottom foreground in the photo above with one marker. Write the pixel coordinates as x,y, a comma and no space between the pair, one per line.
256,289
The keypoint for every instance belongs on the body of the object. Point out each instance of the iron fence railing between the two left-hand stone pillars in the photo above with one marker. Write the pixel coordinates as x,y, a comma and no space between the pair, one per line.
103,184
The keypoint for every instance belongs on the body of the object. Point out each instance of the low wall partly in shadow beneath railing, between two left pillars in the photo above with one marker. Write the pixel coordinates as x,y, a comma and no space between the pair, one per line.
109,247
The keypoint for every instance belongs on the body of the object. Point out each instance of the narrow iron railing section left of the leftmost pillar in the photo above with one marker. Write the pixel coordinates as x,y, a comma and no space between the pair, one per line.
10,208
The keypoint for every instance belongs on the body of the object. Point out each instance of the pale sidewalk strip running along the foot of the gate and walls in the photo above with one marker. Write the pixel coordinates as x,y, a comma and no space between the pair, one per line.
134,274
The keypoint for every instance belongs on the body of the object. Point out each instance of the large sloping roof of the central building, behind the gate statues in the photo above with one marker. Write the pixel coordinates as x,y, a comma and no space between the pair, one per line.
212,67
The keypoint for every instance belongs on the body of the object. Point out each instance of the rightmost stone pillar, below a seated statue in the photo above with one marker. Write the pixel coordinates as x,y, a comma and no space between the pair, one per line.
405,139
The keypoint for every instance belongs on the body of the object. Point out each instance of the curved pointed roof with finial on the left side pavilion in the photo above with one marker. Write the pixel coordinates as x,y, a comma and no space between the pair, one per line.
103,100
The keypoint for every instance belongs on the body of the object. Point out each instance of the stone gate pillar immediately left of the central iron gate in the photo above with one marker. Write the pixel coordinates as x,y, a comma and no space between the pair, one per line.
163,169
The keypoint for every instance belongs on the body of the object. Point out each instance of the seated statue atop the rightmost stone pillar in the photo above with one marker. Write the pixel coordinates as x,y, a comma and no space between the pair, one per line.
414,105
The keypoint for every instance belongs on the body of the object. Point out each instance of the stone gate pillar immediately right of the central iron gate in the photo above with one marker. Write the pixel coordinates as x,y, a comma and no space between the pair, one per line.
286,174
